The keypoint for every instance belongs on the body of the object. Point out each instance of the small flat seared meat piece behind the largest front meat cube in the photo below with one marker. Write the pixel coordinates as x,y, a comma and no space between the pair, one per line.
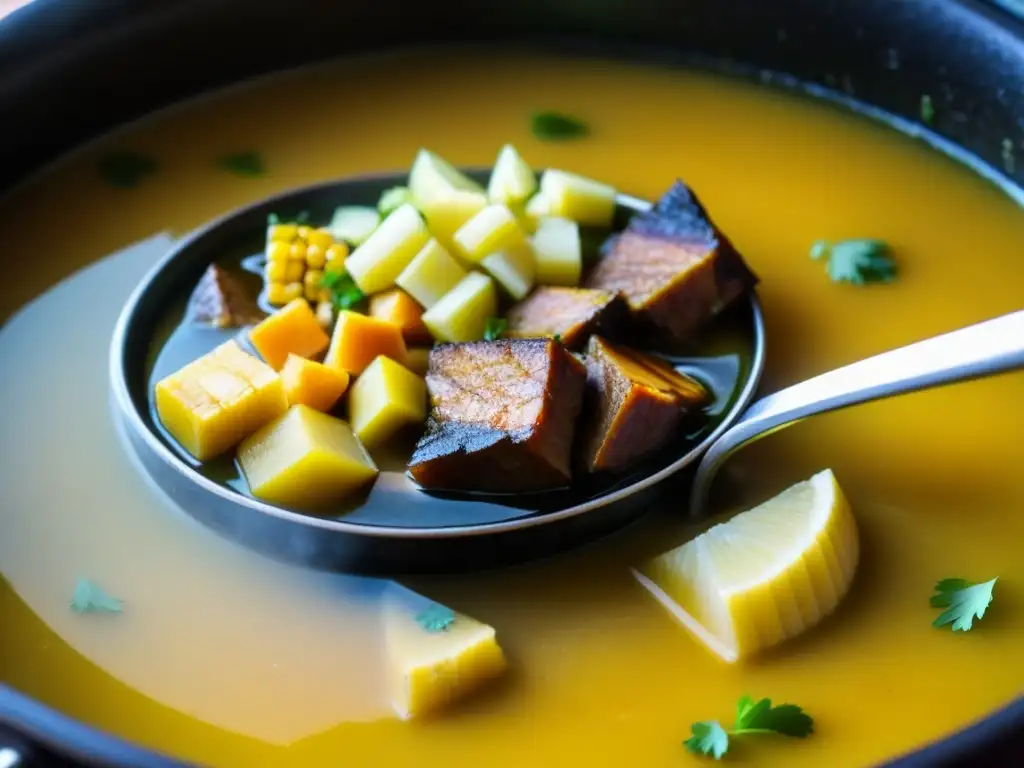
572,314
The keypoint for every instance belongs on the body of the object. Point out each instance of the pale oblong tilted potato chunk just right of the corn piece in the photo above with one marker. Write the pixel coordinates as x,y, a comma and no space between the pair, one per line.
380,260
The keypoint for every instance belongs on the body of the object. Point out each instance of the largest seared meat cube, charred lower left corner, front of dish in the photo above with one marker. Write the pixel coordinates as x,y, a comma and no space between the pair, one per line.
503,416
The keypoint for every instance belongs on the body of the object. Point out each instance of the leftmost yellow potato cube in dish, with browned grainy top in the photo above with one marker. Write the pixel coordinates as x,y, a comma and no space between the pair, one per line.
216,402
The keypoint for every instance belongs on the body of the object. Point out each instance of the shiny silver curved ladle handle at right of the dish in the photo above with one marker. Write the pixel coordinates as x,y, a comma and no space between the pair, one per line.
988,349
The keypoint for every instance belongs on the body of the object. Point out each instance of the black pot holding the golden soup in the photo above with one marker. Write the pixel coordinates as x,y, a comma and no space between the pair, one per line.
70,71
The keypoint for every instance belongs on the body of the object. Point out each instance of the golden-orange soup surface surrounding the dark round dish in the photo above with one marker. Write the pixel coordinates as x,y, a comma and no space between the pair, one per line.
227,659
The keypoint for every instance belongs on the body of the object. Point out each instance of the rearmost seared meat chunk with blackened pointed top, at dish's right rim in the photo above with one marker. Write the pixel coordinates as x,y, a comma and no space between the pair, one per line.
676,270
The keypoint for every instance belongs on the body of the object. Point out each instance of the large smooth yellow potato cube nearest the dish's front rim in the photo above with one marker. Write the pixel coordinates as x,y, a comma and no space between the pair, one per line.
306,459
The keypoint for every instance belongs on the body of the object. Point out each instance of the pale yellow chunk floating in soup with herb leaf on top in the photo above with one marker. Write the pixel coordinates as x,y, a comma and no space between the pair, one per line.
431,670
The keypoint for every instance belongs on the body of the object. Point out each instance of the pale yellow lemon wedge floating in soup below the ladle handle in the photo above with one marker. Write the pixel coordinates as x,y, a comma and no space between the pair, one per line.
765,576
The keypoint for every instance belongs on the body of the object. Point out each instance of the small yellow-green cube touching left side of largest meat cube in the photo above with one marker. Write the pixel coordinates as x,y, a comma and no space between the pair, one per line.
385,399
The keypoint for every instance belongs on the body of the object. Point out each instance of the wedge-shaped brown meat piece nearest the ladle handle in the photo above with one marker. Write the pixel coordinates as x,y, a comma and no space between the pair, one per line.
636,404
